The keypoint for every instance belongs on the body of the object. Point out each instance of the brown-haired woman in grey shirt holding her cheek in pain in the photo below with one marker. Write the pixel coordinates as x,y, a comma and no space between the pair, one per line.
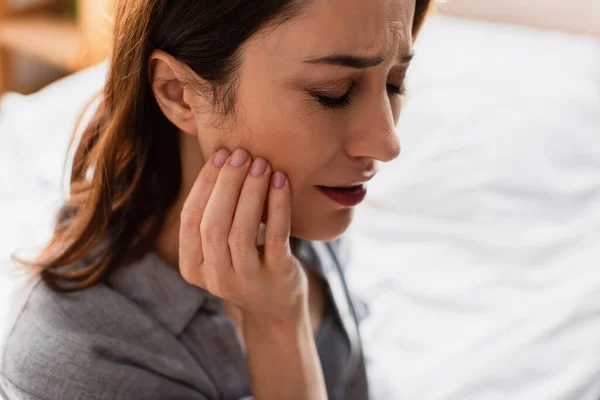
218,117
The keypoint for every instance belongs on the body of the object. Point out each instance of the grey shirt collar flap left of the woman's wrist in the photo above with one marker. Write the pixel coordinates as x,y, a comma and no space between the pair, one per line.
160,290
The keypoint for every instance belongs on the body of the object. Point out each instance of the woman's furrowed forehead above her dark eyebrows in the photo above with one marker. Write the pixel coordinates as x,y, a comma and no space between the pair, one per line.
358,27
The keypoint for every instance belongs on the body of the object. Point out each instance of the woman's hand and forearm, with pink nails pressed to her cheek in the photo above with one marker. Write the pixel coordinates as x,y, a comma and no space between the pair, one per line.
218,251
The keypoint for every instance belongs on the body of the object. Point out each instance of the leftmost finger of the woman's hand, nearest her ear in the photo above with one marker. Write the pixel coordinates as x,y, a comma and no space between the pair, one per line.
190,239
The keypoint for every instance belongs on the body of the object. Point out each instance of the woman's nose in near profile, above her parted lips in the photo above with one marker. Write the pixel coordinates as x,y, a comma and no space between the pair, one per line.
372,132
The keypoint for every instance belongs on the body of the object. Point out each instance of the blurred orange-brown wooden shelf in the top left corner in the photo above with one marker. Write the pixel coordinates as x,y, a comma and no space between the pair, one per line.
42,40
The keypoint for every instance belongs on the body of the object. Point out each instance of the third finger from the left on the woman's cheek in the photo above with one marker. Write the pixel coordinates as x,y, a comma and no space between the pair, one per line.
246,221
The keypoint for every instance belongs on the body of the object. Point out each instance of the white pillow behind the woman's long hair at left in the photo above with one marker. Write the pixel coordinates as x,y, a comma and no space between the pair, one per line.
34,136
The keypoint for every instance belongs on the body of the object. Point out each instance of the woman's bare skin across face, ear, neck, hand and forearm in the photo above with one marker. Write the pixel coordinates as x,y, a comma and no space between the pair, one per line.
211,231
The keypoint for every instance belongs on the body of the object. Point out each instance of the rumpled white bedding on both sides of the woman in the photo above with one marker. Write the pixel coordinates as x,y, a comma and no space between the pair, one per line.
479,247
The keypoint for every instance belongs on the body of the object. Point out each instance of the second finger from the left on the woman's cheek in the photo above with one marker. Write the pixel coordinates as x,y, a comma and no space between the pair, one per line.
220,210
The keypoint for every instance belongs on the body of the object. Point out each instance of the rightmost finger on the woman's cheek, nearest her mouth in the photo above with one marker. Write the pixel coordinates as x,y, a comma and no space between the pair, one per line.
279,213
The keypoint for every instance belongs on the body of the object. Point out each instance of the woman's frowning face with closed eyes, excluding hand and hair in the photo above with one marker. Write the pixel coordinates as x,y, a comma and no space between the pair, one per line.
283,114
